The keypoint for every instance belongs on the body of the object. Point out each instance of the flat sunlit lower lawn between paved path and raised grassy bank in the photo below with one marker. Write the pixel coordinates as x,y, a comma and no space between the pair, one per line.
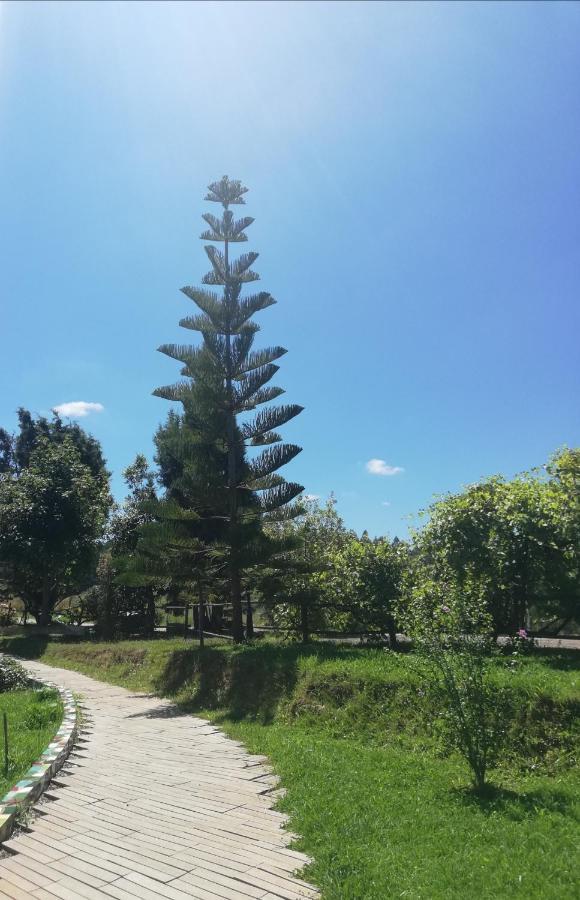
382,822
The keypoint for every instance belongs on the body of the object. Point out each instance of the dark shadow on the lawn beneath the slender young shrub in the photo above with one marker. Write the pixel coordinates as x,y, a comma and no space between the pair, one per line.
518,805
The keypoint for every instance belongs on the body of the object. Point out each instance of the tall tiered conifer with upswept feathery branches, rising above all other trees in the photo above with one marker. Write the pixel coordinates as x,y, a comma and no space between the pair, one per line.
225,378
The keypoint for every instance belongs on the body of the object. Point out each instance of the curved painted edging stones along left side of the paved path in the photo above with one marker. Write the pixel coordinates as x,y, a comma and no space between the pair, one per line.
36,780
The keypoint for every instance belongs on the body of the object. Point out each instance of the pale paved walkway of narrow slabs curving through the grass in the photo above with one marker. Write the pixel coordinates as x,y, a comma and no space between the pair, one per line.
153,804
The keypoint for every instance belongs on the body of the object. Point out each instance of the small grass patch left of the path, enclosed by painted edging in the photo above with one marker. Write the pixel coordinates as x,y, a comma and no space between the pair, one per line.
34,717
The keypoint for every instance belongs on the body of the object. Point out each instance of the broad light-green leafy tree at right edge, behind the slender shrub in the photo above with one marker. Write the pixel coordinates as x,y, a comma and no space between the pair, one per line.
514,543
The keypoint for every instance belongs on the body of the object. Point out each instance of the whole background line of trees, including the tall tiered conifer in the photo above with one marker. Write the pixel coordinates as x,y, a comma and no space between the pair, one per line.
214,524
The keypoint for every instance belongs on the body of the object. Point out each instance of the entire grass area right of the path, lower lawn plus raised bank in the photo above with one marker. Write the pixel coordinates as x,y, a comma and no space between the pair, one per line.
353,734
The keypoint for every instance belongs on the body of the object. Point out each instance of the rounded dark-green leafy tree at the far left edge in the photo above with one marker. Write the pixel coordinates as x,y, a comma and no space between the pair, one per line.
53,512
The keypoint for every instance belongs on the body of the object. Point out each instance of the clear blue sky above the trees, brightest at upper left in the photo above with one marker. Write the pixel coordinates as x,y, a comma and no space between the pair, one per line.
413,170
